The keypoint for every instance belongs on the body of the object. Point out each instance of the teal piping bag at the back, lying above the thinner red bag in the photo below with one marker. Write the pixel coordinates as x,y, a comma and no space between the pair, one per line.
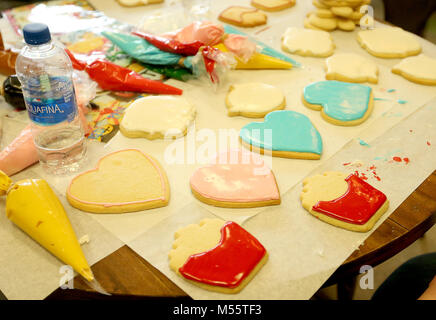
141,50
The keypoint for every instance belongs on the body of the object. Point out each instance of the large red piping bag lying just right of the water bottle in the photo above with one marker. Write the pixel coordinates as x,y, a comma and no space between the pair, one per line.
111,76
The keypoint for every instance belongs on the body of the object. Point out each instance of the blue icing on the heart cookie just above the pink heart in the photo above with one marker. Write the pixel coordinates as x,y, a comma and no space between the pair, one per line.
288,131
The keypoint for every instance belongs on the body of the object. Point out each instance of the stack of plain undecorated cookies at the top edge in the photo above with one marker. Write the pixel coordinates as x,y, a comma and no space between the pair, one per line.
330,15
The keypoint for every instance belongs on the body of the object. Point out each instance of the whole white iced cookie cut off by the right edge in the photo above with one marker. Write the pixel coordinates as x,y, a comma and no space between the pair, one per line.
420,69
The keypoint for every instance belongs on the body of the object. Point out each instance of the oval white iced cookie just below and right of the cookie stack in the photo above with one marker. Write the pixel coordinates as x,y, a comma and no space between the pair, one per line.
389,42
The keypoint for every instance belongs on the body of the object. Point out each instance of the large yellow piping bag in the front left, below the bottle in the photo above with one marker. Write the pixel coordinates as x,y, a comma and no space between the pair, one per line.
33,207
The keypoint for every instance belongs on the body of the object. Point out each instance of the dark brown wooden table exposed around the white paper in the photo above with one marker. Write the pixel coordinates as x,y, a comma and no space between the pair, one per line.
125,274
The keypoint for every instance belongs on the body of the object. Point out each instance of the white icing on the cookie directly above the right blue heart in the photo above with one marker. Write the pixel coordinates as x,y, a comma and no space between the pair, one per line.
351,65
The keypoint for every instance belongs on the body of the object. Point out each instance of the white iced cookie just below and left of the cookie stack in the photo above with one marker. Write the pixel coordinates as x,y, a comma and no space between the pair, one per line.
305,42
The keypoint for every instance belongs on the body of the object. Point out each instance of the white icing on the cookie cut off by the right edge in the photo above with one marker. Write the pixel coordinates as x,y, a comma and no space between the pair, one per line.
421,66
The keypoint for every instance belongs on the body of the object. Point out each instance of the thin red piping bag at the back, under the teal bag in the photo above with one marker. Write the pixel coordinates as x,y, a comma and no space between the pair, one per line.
171,45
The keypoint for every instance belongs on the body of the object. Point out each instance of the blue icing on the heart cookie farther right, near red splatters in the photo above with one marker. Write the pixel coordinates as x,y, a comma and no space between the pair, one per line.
341,100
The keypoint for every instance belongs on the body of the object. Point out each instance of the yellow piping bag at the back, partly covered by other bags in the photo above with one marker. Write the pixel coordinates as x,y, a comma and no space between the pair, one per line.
258,61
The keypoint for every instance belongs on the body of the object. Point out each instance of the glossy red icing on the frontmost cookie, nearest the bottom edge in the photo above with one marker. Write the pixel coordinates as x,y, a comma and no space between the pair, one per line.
230,262
